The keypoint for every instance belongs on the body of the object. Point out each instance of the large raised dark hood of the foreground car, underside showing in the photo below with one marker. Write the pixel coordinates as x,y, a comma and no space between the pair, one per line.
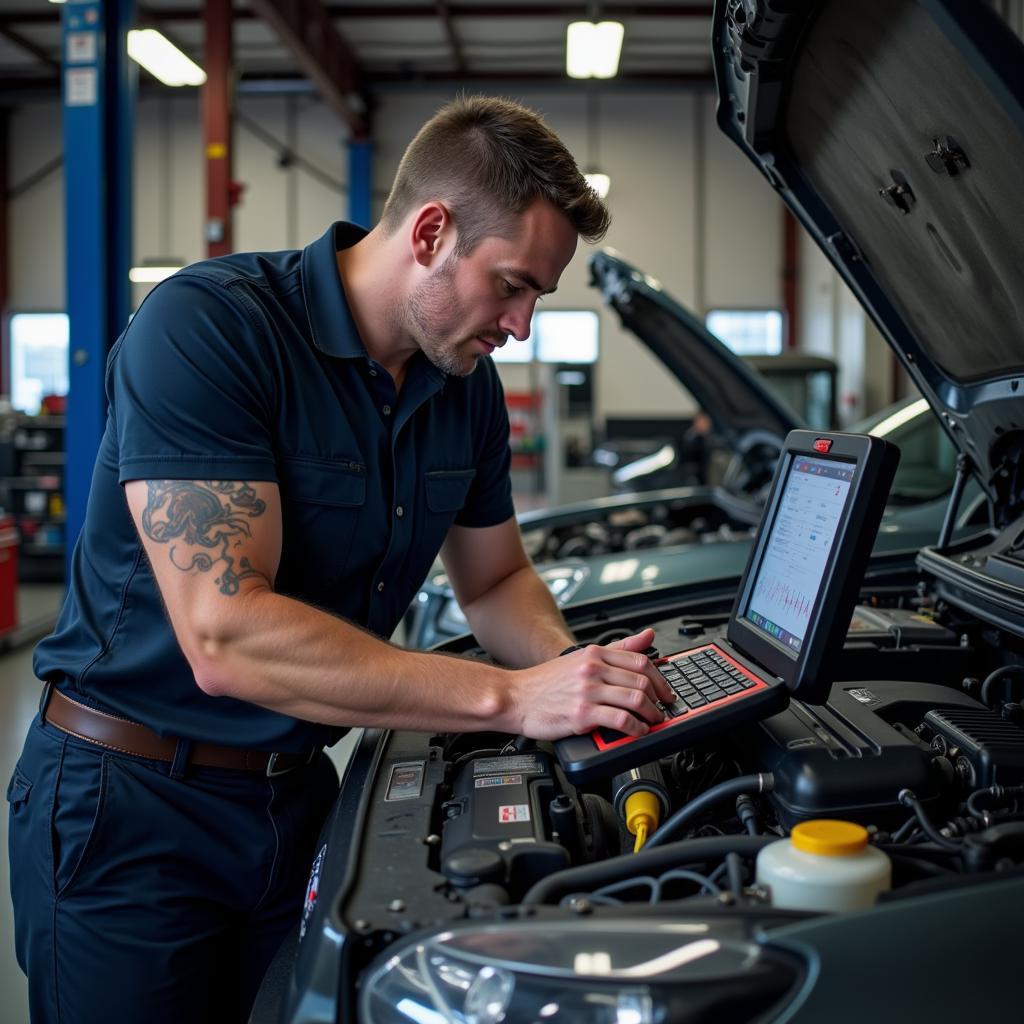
894,131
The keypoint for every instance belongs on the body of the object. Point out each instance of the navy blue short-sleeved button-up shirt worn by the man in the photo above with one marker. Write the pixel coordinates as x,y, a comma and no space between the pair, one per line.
250,368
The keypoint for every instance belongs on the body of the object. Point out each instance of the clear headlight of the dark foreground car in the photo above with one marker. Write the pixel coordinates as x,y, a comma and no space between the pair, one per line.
621,972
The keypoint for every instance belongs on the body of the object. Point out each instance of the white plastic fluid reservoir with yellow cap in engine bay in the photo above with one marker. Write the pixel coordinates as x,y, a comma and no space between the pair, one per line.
824,866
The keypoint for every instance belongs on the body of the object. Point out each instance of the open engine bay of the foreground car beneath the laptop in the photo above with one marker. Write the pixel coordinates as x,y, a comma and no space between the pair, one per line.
920,742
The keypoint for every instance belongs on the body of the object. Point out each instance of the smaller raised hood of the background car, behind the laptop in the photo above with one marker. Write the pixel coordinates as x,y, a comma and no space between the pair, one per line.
743,408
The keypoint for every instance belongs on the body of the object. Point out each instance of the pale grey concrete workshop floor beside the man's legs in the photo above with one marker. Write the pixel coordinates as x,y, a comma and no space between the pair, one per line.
38,607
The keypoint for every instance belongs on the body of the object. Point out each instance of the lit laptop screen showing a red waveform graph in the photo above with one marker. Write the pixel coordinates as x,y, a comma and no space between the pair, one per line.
797,553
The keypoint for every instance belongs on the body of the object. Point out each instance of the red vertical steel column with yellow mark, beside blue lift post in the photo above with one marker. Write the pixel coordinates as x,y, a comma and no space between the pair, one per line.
218,103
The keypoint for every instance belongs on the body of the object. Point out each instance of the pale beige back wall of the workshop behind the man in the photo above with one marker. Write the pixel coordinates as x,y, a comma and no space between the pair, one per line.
688,209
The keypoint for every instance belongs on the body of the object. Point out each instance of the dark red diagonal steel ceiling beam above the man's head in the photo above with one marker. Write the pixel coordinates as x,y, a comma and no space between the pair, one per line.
307,29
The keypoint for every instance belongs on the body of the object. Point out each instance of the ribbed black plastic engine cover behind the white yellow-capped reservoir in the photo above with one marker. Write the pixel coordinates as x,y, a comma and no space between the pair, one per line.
851,757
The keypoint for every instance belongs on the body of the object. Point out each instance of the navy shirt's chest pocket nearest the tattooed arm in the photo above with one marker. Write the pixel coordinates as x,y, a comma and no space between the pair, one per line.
322,502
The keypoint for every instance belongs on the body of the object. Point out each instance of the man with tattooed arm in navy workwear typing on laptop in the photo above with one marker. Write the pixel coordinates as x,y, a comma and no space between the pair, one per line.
292,439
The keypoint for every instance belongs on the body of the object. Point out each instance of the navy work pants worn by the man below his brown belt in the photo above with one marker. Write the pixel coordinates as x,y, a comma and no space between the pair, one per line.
145,894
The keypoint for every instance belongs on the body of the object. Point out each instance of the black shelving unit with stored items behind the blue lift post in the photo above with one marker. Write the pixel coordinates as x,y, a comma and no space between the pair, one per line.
32,492
